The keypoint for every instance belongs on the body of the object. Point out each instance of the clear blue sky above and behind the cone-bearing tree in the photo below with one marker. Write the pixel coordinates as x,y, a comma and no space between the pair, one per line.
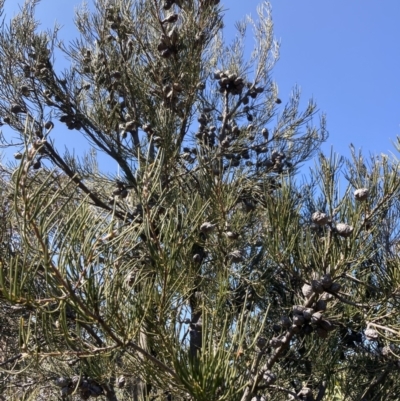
344,54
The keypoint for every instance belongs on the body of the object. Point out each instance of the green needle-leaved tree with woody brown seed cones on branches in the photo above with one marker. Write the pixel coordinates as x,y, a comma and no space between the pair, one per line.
202,270
